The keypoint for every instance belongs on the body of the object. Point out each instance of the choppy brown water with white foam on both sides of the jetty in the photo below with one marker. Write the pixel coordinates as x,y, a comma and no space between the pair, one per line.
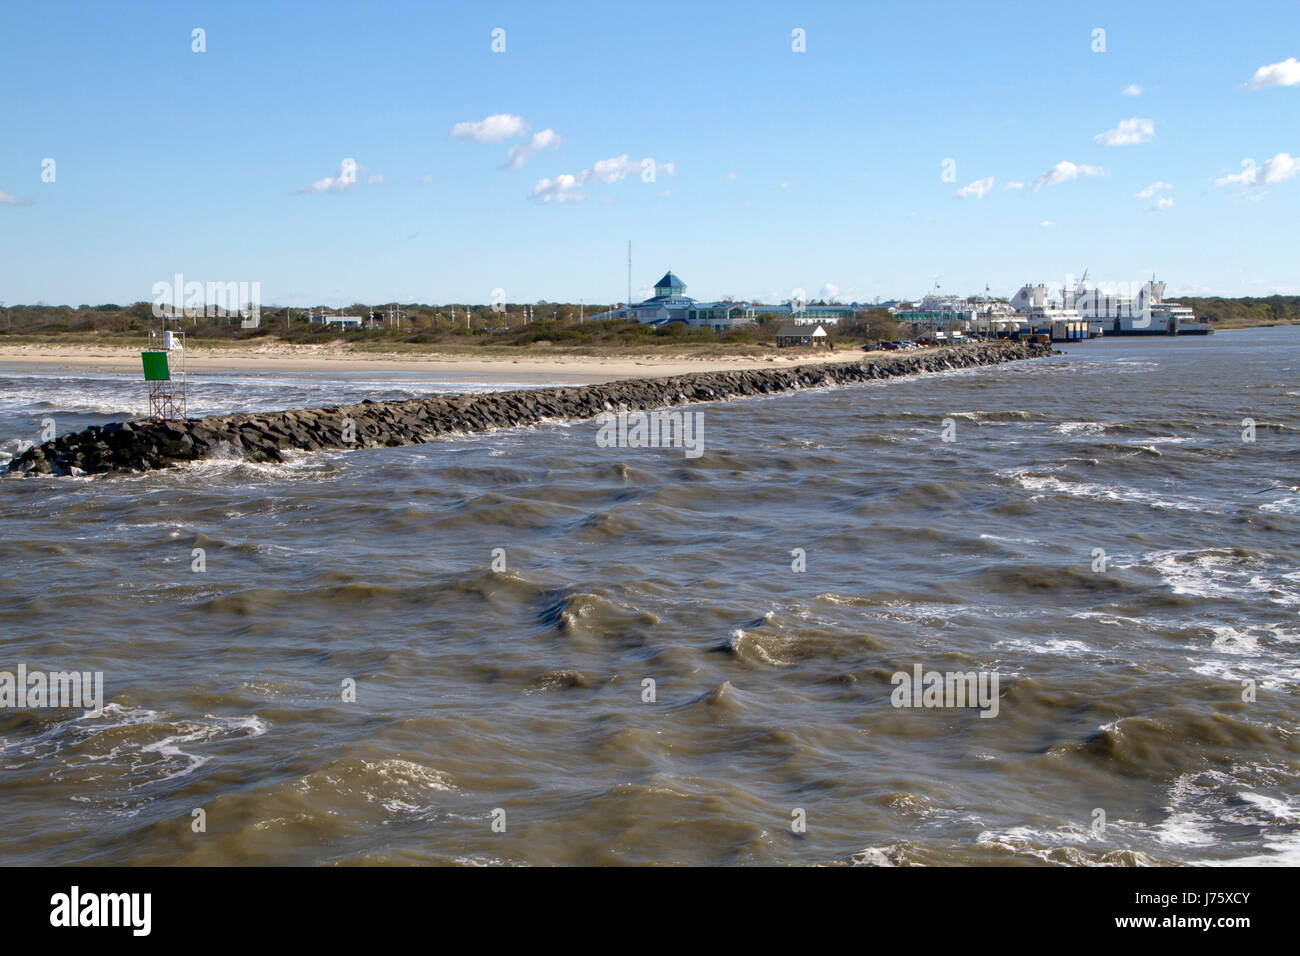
523,690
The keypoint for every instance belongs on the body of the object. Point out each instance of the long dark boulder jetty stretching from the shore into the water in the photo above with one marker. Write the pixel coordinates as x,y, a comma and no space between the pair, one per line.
266,436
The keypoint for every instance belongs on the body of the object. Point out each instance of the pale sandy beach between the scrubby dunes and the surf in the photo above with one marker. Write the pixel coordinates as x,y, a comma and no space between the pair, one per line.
570,369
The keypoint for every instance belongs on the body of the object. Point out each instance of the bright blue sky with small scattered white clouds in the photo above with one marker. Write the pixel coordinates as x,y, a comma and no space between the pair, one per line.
774,170
